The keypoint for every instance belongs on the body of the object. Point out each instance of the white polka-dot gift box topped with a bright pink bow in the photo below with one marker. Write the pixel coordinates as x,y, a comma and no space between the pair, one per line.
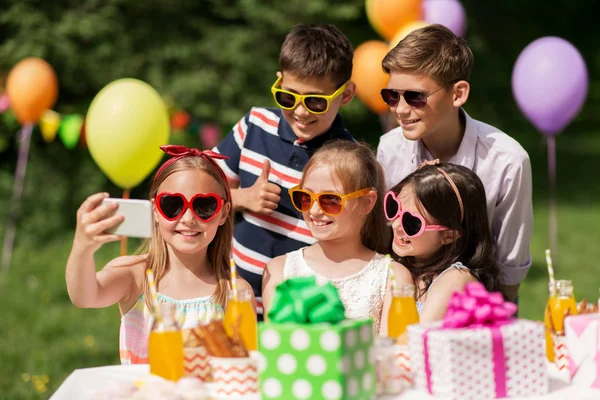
479,352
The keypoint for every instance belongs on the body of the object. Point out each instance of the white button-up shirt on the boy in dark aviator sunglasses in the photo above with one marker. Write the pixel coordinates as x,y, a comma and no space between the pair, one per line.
504,168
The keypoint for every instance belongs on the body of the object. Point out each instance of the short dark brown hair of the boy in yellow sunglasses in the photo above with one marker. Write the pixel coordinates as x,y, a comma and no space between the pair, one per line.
321,51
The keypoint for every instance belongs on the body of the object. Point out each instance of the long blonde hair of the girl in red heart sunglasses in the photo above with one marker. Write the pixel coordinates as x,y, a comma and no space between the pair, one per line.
219,250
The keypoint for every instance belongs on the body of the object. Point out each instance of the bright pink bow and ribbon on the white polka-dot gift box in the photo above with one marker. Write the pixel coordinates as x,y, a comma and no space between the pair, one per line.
477,308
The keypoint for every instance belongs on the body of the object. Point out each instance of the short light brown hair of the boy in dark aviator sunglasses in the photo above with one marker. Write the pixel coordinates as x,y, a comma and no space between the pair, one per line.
433,51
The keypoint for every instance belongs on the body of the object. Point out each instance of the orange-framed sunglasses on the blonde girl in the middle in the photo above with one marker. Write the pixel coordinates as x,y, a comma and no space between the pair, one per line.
330,203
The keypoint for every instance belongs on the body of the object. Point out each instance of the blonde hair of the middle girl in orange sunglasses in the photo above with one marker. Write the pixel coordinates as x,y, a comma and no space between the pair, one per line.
355,165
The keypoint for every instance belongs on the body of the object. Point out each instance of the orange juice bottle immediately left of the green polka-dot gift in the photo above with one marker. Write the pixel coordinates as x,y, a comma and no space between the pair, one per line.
240,316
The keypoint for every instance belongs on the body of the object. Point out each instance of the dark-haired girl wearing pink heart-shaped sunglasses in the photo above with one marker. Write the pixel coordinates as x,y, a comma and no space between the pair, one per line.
441,233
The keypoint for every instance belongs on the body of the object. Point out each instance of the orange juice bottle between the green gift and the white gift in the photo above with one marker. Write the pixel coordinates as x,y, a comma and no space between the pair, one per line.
403,310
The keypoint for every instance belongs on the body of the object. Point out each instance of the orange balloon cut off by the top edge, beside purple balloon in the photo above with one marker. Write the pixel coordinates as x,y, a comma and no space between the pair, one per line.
388,16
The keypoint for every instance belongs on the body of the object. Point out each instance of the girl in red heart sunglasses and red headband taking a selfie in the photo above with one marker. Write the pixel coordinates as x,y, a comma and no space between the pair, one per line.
188,253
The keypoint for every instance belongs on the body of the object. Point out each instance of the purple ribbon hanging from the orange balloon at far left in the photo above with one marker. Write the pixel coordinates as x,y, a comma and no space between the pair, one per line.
11,224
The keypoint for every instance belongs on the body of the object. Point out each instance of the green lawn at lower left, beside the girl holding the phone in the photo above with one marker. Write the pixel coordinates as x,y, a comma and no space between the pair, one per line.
43,336
